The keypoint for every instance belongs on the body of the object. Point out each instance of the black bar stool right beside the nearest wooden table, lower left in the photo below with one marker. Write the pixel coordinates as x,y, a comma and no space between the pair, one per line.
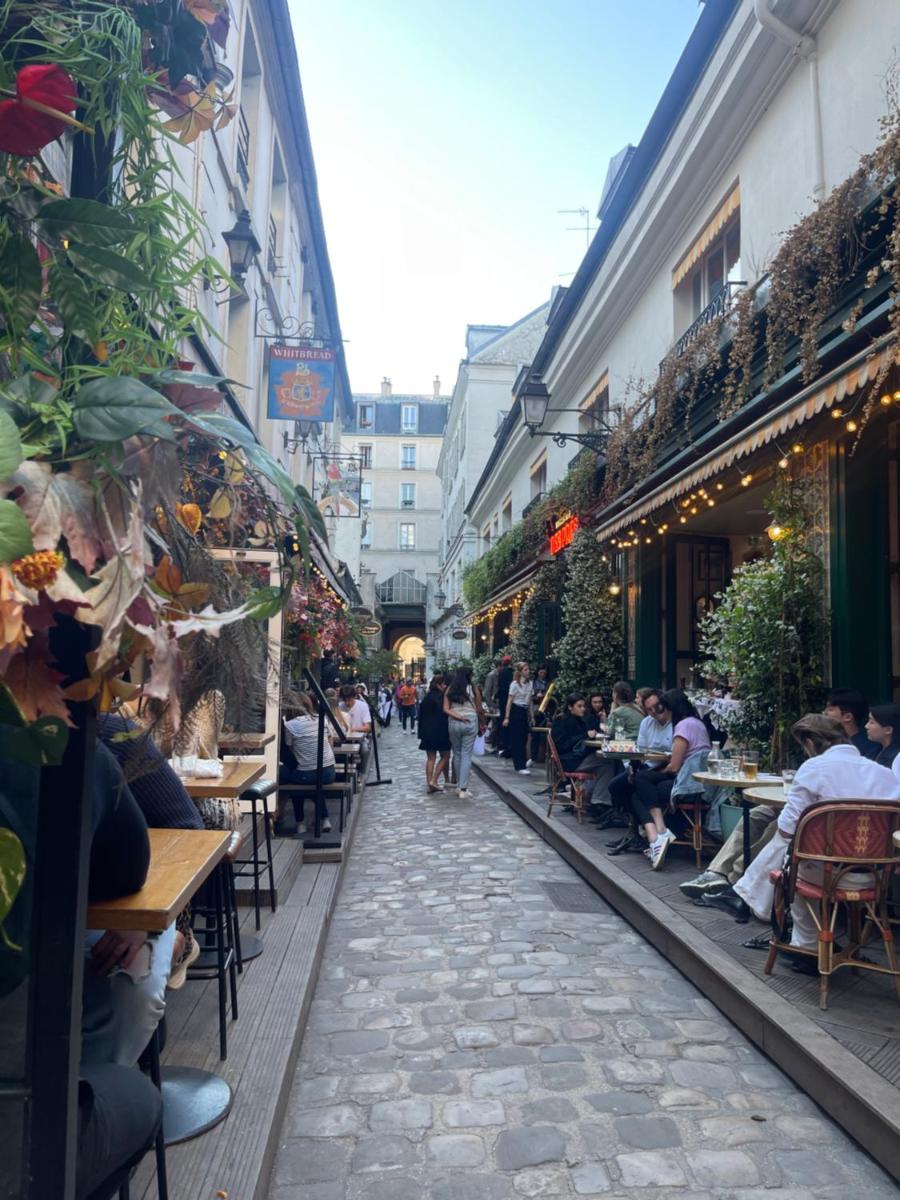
221,938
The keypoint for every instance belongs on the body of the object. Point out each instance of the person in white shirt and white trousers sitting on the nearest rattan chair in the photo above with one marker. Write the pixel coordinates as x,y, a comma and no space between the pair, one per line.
835,771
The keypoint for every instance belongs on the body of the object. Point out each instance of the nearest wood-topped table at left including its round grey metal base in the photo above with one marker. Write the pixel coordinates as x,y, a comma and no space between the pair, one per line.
194,1101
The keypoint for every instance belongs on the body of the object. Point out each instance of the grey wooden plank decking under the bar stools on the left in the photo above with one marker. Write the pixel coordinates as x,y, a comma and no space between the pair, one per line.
274,998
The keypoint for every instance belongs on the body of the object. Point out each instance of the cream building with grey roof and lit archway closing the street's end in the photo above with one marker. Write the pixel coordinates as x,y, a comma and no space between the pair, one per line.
398,441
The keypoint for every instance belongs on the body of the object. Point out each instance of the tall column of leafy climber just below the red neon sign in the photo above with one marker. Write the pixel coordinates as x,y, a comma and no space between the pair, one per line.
592,652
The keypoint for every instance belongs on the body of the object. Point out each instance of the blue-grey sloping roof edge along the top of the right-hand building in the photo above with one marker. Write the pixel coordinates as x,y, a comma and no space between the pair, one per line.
631,181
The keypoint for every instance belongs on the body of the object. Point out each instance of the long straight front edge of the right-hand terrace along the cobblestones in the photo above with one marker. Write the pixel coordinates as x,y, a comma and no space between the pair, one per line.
856,1097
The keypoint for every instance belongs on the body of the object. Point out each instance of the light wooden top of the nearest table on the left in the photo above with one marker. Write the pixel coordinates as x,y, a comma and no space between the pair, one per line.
181,861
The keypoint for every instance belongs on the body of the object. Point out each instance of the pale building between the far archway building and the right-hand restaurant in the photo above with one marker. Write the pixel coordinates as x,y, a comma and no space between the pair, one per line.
479,406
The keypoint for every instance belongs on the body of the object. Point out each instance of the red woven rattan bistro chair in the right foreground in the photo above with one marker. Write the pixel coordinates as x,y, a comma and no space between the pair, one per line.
841,837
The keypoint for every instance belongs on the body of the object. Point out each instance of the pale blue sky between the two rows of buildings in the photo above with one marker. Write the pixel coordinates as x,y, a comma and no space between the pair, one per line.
447,139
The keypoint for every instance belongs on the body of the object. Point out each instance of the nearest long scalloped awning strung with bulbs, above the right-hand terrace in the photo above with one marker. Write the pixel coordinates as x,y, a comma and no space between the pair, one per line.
825,394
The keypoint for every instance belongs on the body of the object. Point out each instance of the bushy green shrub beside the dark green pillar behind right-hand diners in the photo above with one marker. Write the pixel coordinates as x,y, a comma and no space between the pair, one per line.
770,632
